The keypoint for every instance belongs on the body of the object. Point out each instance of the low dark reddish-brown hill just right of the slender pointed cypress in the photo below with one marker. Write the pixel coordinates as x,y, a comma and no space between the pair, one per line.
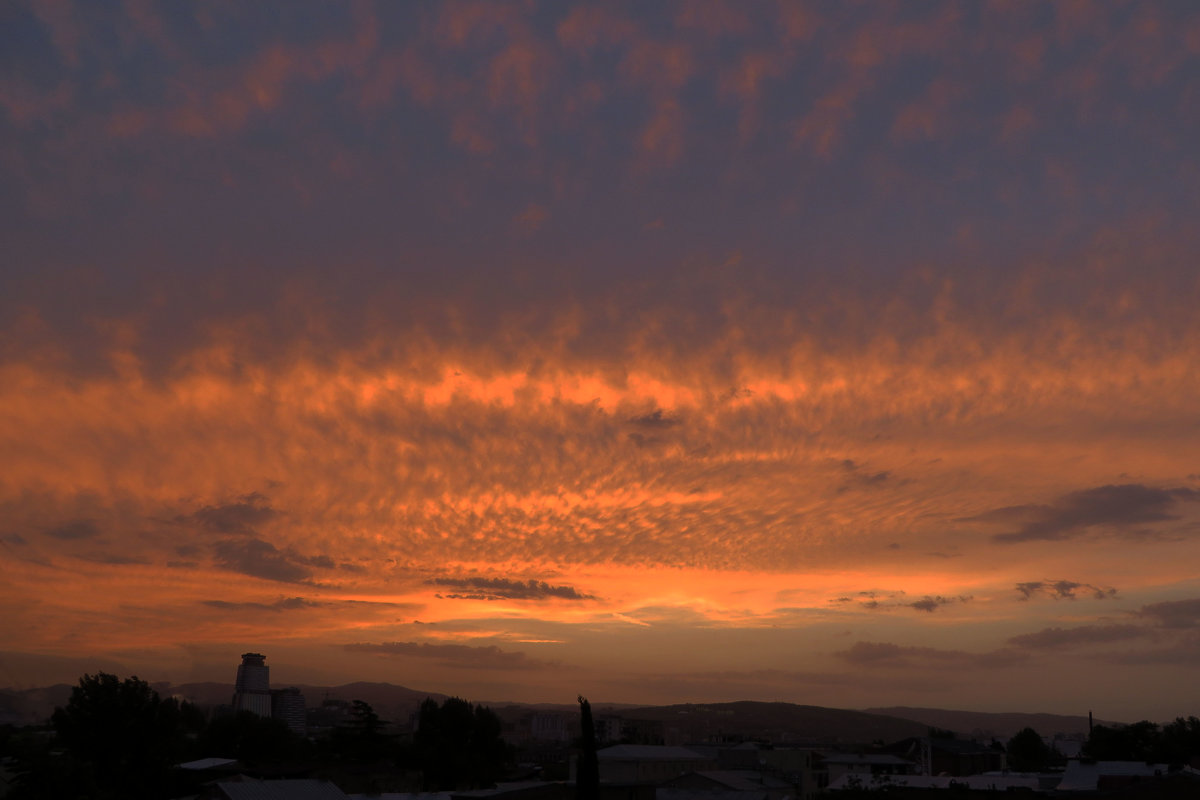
781,723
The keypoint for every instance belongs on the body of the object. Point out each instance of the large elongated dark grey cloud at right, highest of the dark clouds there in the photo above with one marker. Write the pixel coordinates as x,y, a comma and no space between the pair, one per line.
1124,508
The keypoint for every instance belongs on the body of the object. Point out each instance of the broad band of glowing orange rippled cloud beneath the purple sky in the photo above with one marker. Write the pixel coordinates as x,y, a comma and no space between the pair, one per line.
644,497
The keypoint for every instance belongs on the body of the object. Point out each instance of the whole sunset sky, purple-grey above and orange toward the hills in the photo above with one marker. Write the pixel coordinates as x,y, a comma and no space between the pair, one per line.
843,354
